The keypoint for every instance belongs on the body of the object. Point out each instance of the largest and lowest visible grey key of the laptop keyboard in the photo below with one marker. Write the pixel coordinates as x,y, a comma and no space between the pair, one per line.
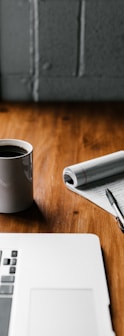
5,310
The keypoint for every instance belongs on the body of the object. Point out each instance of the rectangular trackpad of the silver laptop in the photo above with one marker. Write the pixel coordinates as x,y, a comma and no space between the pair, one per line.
63,312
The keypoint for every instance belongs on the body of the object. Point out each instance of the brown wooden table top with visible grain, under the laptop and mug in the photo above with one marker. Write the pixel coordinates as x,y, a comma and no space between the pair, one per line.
63,134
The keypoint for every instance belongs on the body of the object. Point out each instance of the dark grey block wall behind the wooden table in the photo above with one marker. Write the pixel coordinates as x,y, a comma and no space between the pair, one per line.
61,50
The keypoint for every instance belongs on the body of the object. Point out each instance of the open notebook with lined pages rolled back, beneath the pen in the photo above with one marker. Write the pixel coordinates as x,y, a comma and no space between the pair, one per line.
91,178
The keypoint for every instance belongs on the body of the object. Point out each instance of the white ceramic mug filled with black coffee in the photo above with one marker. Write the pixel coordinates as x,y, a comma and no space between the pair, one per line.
16,178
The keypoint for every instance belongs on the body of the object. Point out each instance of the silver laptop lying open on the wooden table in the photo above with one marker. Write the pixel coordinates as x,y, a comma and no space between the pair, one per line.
53,285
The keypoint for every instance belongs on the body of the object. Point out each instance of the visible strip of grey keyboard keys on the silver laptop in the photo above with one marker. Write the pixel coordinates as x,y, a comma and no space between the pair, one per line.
8,263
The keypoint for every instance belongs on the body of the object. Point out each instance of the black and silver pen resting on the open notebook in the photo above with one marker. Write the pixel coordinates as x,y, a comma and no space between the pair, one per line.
115,206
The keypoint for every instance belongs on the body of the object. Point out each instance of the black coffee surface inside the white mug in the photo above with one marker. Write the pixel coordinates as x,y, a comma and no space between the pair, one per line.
12,151
